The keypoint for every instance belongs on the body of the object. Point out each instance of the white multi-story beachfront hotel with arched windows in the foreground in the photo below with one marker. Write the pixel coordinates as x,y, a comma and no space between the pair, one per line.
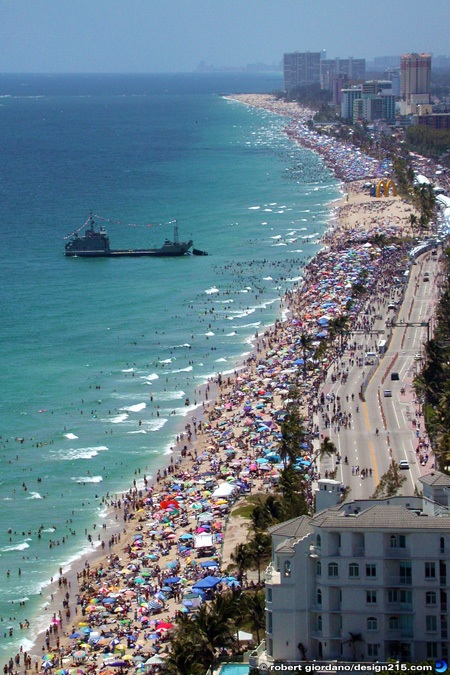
365,580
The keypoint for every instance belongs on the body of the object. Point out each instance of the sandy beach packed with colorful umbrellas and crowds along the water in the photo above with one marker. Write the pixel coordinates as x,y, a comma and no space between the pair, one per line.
120,606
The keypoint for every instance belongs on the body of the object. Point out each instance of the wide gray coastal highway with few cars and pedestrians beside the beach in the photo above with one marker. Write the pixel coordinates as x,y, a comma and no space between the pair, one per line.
393,415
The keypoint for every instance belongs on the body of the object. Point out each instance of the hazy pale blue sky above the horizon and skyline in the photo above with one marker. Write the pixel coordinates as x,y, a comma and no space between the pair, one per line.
175,35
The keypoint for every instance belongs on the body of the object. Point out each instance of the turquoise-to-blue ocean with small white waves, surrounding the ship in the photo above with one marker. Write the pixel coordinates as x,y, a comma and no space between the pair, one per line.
99,356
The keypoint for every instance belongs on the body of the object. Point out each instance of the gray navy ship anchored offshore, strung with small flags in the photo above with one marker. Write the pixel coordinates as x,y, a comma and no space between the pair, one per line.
95,244
